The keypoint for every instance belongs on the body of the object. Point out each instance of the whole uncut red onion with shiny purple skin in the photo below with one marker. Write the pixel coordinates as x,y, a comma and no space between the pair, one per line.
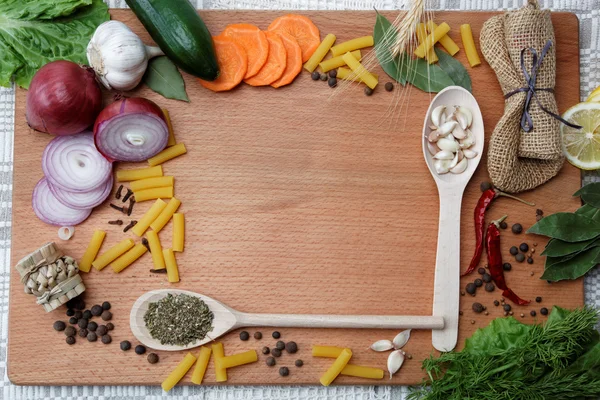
63,98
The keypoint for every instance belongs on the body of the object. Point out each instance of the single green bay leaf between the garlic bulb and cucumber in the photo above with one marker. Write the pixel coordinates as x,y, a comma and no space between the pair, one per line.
164,78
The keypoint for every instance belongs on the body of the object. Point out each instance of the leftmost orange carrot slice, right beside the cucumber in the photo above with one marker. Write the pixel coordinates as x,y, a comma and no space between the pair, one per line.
233,64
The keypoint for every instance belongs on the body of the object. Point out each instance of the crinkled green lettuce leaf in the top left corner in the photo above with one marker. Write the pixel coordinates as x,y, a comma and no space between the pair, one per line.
36,32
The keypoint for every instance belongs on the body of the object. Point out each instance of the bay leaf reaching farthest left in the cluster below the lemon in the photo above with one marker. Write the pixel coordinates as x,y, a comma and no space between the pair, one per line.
569,227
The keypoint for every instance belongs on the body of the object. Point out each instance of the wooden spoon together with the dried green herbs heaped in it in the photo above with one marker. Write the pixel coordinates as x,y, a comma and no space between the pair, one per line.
172,320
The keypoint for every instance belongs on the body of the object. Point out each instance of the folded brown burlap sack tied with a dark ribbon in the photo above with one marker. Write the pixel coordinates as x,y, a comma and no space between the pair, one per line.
519,160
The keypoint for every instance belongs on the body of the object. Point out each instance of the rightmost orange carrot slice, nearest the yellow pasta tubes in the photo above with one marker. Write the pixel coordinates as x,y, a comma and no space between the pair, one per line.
302,29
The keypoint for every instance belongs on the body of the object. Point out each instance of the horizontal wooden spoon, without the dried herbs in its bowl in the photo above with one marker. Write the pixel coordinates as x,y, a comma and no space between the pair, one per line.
227,319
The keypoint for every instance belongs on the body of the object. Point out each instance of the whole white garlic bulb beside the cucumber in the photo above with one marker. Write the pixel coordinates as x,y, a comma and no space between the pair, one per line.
119,56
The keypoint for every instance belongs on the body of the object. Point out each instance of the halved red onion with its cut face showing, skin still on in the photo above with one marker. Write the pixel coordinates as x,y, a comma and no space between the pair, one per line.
131,129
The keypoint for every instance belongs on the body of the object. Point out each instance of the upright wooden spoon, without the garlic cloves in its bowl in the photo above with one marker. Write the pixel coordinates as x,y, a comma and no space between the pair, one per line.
450,188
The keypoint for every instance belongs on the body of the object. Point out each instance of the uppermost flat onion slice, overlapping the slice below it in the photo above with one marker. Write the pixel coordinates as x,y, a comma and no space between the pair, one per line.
73,164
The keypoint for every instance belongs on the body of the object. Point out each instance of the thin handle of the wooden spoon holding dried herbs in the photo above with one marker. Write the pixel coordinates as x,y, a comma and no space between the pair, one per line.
340,321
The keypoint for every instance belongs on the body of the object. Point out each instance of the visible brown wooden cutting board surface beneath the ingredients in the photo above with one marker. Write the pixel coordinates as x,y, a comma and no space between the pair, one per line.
295,203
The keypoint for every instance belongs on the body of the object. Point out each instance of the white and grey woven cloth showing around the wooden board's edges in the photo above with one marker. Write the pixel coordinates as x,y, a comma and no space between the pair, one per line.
588,12
